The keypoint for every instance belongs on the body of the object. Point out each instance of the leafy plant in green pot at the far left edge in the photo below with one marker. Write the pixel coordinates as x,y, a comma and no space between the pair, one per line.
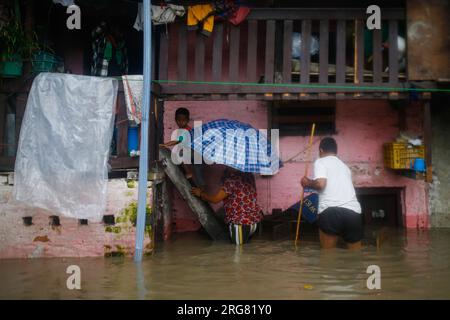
15,46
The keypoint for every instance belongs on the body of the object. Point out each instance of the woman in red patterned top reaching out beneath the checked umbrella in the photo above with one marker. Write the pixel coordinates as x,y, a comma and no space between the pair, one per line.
242,212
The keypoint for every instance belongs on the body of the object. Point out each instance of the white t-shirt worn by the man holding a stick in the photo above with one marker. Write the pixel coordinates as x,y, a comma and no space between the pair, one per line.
339,191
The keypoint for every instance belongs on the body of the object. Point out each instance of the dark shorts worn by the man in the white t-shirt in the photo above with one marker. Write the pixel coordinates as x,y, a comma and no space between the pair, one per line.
341,222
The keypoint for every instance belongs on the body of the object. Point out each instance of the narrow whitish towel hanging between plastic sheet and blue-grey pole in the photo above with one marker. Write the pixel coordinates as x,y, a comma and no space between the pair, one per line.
133,85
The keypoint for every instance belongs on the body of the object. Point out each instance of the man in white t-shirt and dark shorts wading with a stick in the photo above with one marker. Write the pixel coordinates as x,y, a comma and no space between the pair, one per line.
339,210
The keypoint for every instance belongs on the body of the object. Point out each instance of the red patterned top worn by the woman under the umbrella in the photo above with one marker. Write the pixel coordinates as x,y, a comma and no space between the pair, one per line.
240,204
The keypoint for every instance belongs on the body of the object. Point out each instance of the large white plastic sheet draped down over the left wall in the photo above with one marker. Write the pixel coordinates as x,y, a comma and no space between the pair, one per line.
64,144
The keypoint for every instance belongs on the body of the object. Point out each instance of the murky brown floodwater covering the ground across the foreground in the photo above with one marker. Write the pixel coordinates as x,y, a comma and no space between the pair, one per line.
413,264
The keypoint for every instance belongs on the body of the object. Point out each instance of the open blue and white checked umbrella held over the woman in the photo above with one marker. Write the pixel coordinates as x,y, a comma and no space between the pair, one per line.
237,145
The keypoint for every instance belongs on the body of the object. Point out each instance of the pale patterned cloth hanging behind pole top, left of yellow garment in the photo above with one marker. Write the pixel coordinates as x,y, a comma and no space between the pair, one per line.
160,15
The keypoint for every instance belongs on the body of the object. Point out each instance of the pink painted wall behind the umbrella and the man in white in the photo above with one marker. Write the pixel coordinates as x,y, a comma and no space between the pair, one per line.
363,126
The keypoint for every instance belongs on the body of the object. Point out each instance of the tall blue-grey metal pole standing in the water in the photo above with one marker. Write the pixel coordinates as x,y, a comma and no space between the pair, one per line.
143,159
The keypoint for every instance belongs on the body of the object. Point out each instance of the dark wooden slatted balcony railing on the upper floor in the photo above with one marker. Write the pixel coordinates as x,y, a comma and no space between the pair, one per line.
259,52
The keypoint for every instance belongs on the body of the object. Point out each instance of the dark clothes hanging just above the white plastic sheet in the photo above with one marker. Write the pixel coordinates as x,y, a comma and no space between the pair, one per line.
110,57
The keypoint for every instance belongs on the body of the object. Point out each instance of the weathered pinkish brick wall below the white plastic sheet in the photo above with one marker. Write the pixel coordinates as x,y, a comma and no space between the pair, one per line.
70,239
